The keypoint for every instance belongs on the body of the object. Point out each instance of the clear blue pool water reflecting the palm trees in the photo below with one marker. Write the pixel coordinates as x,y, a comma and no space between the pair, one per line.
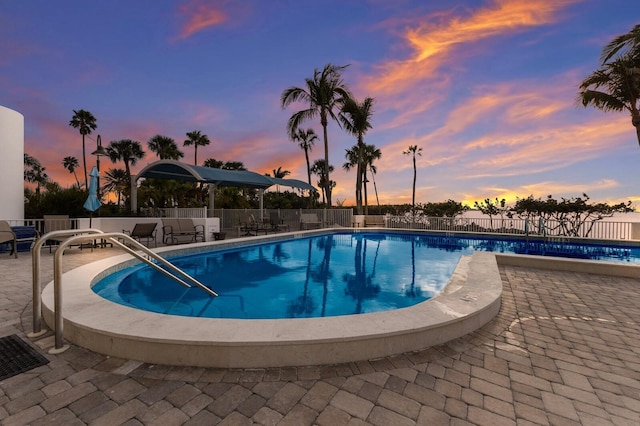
328,275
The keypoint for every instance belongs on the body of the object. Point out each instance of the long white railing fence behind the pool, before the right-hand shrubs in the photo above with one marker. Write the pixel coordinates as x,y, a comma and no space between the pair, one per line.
606,230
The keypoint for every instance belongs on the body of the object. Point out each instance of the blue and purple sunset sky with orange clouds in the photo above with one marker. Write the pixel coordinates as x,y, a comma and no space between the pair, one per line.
486,88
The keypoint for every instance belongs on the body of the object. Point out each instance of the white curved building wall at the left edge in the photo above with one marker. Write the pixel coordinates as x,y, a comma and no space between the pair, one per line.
11,164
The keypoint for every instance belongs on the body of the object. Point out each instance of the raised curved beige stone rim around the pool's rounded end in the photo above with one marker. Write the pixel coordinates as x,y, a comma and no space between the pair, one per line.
470,300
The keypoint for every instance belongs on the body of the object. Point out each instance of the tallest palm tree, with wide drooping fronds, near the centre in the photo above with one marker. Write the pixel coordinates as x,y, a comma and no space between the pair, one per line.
324,93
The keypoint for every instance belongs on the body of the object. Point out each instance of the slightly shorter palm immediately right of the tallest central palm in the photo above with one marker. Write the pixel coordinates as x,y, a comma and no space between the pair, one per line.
355,118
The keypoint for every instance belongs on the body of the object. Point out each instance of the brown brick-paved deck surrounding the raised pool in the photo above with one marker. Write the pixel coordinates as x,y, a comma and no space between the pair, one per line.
562,350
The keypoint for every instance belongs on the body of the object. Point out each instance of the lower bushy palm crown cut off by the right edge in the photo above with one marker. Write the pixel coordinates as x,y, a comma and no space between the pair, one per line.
614,87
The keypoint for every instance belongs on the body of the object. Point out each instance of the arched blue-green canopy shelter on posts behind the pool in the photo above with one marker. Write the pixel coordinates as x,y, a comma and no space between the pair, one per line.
171,169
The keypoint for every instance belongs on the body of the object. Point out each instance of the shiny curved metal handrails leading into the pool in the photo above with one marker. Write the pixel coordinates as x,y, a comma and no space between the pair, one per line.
85,235
